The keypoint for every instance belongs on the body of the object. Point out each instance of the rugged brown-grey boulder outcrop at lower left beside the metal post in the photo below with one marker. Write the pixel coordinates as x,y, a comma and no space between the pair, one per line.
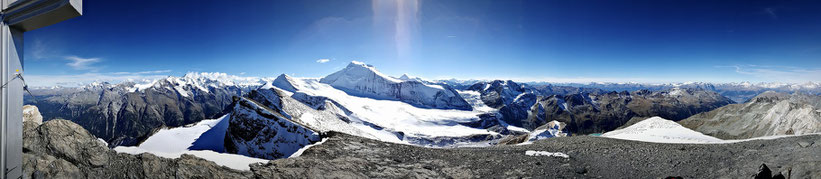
62,149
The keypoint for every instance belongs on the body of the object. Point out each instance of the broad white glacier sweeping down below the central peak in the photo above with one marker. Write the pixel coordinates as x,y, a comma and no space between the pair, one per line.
382,119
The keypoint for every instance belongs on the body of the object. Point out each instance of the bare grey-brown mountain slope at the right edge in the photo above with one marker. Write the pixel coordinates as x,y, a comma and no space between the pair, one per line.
768,114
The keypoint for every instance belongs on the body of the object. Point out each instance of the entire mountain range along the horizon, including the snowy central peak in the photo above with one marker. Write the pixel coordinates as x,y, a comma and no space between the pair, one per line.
361,101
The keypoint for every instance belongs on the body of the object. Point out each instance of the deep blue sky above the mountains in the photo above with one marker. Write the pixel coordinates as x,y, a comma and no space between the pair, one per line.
558,41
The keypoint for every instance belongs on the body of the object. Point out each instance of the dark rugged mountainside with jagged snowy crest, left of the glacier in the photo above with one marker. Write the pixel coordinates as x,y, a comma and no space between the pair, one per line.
122,117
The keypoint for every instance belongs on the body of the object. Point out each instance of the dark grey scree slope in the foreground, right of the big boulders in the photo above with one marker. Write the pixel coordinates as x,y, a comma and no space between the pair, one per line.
345,156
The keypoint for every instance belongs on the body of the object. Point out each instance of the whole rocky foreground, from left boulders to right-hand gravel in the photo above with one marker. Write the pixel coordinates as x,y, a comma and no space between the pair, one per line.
62,149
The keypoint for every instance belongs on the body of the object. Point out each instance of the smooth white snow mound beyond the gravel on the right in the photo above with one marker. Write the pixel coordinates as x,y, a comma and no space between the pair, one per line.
660,130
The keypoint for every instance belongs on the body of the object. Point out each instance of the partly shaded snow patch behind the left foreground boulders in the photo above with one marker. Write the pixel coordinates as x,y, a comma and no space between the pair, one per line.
172,143
